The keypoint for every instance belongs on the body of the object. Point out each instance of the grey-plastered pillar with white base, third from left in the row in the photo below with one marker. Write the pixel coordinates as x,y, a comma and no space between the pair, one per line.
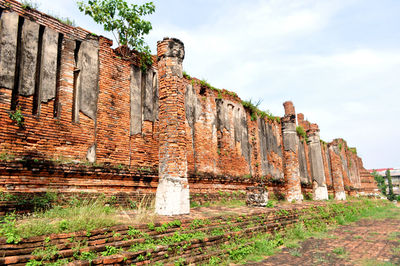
320,191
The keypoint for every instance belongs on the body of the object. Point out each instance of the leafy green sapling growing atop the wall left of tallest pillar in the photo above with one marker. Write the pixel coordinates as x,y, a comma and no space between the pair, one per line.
125,22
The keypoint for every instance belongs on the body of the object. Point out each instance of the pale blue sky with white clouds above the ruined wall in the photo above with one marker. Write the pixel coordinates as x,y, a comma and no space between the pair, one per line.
337,60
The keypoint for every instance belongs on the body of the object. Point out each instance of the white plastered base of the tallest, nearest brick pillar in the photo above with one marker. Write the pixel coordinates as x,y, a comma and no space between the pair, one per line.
172,197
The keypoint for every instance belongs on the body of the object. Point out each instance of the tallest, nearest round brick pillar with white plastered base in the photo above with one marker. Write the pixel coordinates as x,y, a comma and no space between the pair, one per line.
172,197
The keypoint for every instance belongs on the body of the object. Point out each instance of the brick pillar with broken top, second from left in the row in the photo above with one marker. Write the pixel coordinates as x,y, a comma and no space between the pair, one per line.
290,156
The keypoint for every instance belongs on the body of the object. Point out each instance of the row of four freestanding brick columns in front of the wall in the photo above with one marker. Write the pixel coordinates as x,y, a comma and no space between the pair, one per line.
172,197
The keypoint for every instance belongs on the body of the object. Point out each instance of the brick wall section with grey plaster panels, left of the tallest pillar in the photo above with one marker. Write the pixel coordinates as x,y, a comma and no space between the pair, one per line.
79,105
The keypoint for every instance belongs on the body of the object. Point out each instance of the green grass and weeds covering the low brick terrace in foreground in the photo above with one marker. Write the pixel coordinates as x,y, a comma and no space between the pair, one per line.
240,248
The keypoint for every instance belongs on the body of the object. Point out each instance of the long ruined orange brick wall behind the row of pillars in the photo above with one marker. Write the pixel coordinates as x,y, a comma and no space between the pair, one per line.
83,103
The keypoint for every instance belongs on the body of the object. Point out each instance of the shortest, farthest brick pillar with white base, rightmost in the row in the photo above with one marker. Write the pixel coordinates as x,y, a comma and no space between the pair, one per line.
336,166
